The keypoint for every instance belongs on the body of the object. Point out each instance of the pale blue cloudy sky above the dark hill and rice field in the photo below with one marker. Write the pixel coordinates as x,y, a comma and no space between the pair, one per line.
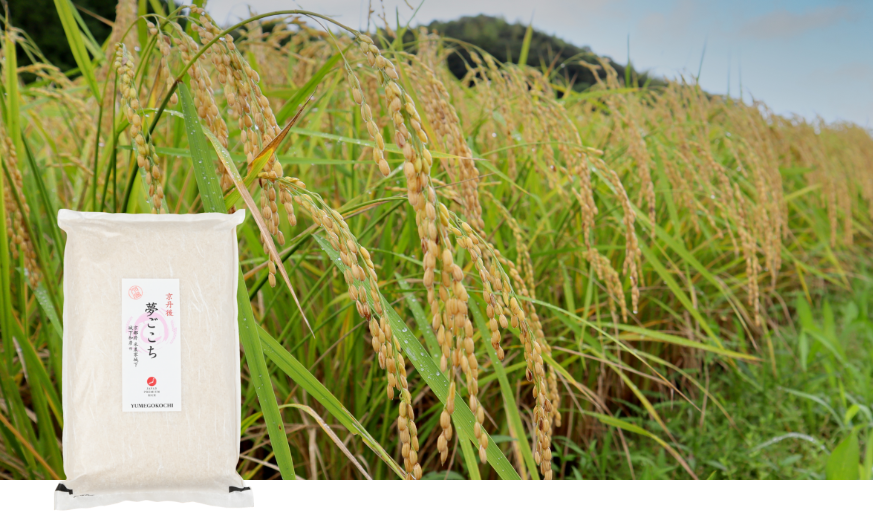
806,57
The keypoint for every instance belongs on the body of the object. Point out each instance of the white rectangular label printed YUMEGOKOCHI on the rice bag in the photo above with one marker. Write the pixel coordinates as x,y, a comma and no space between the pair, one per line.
151,355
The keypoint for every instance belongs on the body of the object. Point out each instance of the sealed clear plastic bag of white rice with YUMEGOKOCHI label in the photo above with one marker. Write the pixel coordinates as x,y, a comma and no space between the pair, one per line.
151,360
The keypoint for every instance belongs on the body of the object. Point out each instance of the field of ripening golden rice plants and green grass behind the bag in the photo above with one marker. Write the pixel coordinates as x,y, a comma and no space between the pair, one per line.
492,277
